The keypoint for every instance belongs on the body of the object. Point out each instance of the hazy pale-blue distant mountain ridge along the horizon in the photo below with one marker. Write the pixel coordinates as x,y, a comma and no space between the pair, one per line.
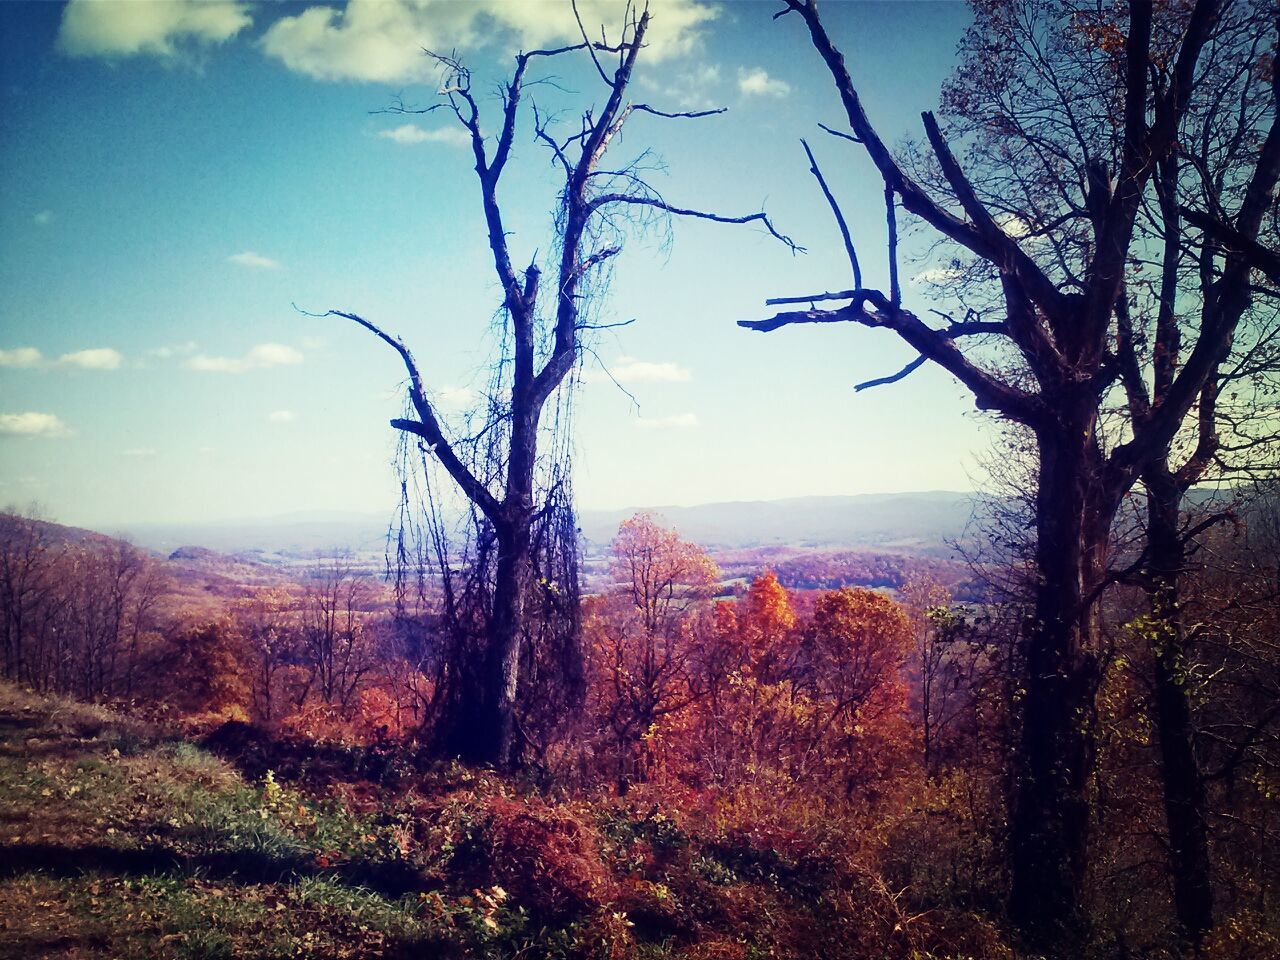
917,523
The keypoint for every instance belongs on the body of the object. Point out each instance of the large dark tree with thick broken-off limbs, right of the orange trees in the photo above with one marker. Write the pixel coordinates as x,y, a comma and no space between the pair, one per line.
1050,358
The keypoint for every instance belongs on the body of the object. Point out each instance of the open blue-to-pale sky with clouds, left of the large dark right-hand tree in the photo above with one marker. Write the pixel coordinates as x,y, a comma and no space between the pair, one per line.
182,180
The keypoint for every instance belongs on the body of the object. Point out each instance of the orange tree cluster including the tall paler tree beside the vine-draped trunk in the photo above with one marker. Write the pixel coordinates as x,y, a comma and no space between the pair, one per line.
746,700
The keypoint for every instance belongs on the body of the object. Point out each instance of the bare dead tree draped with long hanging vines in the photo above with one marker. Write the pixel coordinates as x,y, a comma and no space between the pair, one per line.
499,469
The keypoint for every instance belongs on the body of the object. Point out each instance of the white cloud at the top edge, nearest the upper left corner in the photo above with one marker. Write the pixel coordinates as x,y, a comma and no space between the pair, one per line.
158,28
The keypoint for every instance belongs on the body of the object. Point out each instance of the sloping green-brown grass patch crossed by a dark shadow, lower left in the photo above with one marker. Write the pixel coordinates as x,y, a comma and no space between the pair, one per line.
118,843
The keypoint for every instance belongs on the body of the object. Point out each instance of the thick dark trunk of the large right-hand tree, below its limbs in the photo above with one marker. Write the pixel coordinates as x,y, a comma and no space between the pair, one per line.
1049,839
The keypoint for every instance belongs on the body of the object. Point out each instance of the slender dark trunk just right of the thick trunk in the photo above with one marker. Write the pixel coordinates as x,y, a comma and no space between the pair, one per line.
1183,783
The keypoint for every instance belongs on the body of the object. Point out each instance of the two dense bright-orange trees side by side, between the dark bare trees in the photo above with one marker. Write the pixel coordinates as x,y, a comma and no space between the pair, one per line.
802,707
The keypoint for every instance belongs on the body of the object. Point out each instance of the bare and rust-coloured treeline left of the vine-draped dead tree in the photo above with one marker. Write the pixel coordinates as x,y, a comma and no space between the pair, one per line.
100,620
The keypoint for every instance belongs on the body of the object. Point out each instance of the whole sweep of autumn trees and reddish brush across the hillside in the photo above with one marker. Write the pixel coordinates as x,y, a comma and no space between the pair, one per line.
753,765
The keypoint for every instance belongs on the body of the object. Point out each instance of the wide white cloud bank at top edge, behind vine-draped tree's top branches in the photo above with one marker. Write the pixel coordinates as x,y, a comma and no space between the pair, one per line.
383,40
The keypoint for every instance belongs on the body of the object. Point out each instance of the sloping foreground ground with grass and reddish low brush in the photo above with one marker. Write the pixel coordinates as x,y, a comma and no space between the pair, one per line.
126,840
